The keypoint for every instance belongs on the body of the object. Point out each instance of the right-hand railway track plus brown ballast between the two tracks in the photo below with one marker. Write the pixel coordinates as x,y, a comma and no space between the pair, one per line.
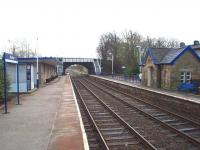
178,132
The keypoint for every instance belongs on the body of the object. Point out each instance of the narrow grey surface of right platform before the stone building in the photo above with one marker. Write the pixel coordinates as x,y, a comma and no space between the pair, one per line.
184,96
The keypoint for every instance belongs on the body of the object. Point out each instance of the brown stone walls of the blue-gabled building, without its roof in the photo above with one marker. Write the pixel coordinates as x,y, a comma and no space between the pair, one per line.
170,74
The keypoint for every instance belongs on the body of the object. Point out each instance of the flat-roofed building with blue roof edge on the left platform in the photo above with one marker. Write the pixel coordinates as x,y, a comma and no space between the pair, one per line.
47,68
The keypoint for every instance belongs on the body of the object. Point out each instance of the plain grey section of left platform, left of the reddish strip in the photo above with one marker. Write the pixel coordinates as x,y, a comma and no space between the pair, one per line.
28,126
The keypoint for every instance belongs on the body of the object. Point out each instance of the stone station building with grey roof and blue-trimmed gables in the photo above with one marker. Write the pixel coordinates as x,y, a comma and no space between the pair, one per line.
167,68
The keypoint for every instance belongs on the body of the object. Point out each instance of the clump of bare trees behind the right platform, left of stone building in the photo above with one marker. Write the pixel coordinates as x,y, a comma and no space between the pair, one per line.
125,51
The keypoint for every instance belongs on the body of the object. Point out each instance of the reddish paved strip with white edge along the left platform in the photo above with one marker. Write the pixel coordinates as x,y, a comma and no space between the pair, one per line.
68,132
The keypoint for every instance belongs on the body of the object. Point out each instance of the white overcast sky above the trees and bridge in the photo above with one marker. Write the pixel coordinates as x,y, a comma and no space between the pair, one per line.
72,28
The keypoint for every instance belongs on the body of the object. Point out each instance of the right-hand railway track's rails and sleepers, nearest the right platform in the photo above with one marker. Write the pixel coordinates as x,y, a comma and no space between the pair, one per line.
179,124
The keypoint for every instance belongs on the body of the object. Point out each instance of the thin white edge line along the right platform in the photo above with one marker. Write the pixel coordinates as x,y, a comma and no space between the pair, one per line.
162,93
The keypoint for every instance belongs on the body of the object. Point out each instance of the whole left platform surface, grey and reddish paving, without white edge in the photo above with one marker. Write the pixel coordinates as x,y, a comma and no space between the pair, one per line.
39,122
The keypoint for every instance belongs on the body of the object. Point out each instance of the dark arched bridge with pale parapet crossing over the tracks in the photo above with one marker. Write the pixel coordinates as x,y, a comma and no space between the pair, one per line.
92,64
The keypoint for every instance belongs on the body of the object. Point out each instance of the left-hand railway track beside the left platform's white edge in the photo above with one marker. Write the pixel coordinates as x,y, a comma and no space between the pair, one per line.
106,129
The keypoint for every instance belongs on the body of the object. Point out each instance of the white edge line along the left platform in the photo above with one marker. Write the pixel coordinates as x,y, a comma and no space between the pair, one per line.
85,141
